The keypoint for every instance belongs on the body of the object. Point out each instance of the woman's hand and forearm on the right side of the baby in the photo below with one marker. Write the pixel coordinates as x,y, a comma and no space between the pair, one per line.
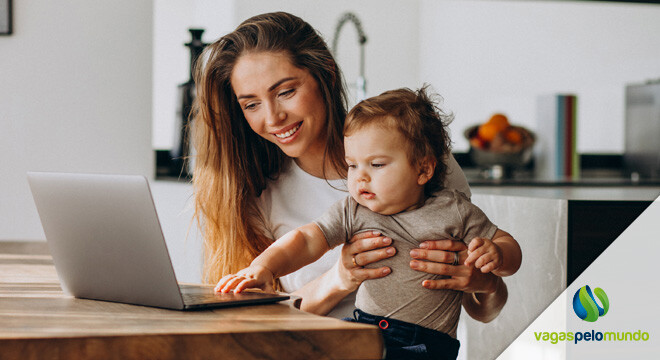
436,257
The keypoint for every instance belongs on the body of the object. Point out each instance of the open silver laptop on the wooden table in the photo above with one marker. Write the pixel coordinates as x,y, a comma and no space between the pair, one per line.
107,244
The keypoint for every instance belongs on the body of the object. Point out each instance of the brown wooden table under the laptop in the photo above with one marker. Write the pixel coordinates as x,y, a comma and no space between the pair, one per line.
38,321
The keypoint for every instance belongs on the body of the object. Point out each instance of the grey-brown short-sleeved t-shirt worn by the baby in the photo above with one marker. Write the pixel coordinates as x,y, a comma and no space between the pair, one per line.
446,215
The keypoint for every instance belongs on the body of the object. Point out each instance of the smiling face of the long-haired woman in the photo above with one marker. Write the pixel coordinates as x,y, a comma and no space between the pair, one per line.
281,103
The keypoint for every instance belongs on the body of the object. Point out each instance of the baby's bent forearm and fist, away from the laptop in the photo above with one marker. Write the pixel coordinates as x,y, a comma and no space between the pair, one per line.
501,255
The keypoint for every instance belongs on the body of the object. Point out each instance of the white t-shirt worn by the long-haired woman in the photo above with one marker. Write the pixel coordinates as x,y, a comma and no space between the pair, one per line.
297,198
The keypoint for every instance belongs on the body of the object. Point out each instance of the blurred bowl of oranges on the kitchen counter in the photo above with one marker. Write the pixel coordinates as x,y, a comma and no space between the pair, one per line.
497,142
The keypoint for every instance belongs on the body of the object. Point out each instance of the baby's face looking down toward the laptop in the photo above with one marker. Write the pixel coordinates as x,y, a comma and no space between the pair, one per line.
380,175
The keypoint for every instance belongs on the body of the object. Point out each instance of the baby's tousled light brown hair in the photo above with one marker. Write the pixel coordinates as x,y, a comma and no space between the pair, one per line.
417,116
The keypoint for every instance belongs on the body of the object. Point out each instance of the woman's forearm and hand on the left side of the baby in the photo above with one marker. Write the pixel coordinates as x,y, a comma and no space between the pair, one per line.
321,295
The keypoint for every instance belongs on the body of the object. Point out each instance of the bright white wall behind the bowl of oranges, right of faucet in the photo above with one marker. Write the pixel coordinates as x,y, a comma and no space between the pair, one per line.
498,56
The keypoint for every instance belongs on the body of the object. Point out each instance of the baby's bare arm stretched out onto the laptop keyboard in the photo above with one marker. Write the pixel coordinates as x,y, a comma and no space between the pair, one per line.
289,253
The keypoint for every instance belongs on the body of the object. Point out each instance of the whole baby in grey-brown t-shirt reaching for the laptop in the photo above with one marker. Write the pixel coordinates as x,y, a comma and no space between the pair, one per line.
395,145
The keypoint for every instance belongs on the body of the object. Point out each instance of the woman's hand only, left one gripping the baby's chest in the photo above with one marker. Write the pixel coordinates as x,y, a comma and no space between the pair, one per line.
363,249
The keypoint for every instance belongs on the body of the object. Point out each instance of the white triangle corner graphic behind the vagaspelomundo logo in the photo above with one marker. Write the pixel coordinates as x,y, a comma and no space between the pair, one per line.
629,272
